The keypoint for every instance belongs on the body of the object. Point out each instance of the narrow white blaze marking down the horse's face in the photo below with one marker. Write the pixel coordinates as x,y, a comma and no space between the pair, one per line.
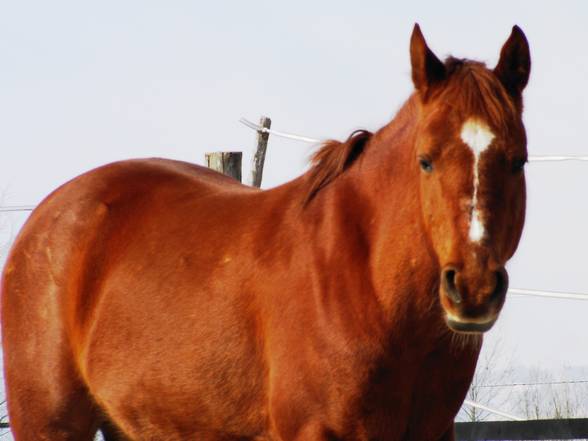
478,137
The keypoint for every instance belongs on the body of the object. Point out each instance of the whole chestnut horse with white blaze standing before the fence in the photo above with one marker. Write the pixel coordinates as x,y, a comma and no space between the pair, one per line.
155,299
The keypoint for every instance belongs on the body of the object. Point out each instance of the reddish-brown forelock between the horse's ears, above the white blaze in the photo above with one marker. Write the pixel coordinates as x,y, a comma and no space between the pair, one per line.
473,89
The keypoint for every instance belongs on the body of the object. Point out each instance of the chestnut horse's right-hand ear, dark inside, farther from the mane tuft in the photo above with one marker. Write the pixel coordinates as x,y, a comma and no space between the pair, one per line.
514,65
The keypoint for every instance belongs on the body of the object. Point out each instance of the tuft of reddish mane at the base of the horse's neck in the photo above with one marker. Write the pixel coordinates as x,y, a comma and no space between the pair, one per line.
332,159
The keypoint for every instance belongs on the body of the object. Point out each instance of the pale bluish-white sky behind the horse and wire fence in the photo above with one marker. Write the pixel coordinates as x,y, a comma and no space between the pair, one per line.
83,84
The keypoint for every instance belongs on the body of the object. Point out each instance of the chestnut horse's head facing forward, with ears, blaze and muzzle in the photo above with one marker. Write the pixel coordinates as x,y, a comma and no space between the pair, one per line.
470,149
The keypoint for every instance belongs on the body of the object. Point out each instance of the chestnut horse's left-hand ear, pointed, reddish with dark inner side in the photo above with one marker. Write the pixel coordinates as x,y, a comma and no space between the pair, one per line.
427,69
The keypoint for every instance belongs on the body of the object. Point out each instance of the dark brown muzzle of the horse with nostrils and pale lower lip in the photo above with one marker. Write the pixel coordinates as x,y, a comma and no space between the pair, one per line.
472,302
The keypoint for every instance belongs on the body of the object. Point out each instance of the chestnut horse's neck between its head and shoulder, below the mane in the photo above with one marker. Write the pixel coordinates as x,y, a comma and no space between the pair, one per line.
368,232
